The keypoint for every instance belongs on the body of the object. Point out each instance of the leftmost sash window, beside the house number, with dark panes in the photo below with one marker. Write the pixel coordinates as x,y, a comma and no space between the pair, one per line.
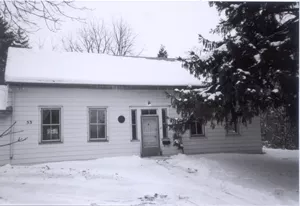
51,125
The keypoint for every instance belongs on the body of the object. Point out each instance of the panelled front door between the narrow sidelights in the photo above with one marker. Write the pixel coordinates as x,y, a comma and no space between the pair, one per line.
150,136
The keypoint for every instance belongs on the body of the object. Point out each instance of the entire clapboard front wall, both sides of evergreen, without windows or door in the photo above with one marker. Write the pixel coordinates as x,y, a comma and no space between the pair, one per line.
74,102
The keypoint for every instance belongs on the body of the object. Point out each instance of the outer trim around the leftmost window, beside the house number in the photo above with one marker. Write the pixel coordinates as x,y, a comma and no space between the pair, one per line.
40,133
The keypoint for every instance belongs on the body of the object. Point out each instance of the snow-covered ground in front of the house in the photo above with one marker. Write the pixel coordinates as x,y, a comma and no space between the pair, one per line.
220,179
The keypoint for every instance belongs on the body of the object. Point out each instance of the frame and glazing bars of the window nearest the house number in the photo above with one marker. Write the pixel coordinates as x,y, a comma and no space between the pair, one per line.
41,109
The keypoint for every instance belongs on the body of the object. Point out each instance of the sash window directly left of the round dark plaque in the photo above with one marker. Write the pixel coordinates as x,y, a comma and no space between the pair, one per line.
97,124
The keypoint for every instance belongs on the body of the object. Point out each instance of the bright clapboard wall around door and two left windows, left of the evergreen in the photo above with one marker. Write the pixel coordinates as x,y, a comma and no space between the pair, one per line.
75,103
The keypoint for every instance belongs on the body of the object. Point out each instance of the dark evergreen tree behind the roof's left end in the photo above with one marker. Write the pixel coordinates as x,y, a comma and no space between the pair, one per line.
9,38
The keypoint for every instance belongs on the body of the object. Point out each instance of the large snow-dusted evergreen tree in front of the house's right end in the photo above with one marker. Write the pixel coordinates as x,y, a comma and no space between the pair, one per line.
254,69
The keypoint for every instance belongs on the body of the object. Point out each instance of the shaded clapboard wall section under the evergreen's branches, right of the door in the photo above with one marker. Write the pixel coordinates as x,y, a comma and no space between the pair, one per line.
216,140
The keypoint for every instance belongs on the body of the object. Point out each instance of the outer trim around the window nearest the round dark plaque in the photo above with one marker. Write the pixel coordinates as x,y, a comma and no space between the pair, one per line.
88,124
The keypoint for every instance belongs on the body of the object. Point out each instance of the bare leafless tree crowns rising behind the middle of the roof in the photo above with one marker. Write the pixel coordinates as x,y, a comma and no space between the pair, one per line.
94,37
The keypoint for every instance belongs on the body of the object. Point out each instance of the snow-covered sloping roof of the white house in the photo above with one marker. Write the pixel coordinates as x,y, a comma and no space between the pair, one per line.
32,66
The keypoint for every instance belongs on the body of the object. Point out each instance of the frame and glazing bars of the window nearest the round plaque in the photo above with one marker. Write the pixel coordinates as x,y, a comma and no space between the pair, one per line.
105,125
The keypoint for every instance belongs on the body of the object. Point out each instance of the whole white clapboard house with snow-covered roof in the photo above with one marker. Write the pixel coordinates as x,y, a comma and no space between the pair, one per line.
75,106
